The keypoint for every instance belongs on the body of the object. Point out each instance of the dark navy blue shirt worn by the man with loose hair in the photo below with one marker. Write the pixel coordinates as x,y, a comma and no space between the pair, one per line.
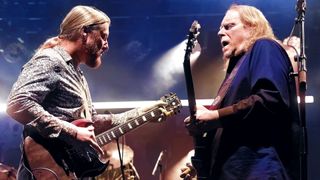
260,109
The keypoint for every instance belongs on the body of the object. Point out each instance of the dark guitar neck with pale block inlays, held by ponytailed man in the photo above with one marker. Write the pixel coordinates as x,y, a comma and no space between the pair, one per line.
120,130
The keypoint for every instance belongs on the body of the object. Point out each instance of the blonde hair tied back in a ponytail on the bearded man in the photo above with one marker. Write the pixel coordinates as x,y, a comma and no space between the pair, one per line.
78,17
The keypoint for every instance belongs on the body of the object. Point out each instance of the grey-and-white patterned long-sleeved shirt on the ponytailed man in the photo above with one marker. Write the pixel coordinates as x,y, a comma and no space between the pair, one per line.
50,92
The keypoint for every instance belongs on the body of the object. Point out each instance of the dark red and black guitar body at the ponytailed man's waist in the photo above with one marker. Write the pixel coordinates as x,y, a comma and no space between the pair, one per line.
52,159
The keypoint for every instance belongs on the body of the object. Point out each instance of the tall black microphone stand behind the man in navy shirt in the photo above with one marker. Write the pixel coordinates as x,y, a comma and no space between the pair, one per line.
302,77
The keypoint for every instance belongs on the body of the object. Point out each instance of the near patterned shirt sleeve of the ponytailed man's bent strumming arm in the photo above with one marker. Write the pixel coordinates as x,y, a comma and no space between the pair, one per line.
25,102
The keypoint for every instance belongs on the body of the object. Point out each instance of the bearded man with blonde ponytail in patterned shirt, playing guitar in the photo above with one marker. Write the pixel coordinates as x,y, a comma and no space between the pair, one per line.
51,92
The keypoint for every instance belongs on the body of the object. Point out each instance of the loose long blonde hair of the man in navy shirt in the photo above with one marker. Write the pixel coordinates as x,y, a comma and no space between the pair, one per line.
253,18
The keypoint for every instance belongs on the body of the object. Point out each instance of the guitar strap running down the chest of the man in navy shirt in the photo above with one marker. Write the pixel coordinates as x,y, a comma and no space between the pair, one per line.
216,104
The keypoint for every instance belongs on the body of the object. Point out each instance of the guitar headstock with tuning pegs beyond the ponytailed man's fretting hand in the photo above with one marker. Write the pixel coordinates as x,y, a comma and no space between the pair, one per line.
172,101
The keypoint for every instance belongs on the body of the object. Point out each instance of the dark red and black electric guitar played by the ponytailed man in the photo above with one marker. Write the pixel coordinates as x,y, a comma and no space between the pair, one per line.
73,159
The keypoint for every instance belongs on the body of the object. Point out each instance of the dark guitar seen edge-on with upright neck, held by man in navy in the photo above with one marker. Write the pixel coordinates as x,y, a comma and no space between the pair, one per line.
202,140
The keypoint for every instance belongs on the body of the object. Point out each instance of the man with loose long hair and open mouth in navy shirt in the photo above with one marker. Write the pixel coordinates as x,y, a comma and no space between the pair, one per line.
255,116
